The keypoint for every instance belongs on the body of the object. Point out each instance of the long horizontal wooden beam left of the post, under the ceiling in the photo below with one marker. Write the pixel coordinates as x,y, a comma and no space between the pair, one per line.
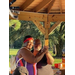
29,16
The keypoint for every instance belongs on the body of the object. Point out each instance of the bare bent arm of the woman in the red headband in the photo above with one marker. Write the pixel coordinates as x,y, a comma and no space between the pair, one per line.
29,57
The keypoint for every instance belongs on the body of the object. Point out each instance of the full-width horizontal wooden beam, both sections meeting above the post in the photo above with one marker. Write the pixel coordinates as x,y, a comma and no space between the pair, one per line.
29,16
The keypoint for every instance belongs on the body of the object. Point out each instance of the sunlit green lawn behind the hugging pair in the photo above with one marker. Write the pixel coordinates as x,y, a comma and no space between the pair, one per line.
14,52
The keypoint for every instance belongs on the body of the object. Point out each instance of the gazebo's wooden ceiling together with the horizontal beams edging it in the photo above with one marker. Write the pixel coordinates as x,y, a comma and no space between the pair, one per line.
41,10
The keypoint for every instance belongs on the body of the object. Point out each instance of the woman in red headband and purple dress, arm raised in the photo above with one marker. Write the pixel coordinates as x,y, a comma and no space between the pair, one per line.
26,58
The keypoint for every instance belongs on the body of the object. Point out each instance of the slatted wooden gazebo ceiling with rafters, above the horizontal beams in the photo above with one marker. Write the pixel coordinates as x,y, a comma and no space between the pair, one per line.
41,6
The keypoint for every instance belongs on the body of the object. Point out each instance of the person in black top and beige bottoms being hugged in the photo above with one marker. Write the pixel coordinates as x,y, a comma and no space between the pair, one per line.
44,65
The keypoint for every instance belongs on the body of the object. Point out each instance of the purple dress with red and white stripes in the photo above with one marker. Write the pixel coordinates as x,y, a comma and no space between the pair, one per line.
29,66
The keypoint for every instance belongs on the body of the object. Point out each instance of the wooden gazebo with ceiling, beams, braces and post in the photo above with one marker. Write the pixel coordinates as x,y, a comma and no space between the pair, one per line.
45,11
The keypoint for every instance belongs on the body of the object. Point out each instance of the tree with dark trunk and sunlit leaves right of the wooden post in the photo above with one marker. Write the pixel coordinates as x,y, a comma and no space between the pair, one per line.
57,38
